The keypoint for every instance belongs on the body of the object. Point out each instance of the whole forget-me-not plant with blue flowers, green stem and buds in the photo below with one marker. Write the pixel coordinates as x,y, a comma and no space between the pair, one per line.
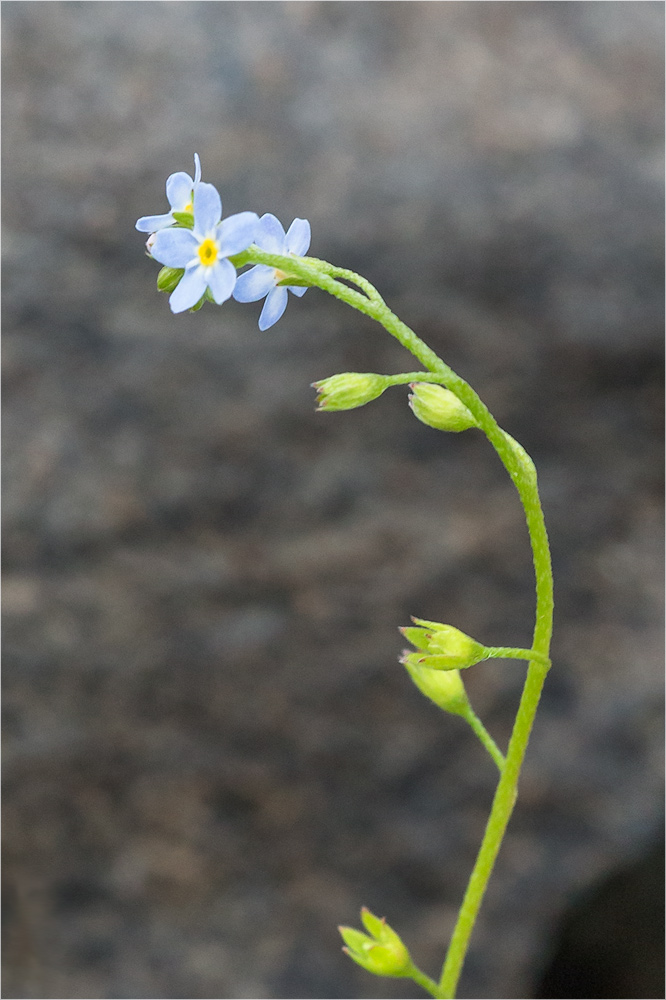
201,254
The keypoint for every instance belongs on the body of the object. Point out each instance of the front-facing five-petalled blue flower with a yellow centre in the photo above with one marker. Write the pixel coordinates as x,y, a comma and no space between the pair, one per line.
203,250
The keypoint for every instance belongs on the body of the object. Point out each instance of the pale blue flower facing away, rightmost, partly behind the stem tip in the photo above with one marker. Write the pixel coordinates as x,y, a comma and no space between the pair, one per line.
261,280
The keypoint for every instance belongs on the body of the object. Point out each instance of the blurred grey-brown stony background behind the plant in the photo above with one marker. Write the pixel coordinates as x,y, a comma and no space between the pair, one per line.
212,755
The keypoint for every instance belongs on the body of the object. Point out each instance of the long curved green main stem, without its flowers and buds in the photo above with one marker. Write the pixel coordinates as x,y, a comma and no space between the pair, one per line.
522,472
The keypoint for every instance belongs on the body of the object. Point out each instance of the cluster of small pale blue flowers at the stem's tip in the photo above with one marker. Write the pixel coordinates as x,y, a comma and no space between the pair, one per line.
195,243
